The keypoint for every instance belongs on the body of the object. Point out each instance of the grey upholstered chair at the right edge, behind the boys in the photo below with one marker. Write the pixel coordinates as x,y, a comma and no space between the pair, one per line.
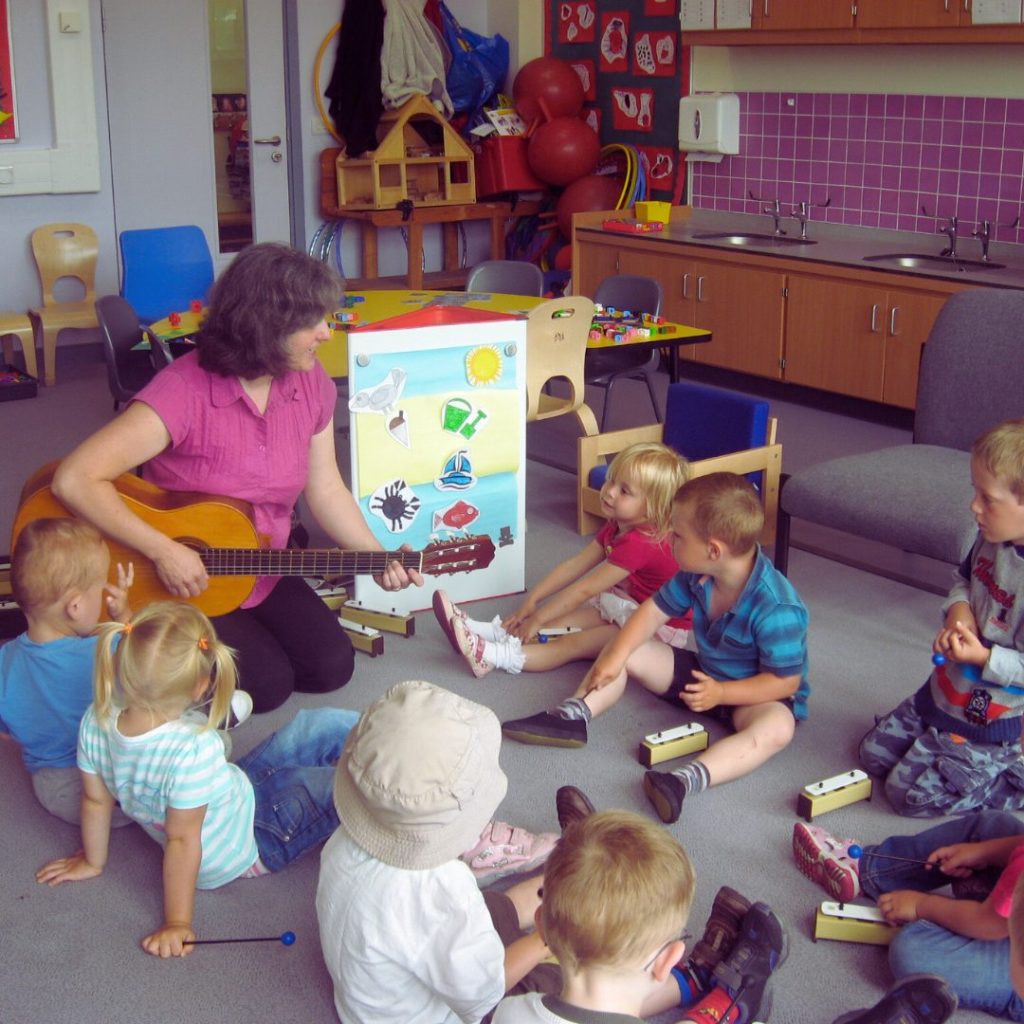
917,497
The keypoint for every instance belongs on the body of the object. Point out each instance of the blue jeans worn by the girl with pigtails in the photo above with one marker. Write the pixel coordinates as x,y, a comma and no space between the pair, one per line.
292,773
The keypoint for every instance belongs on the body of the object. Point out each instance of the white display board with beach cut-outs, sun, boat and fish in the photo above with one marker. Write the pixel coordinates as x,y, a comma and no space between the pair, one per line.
438,407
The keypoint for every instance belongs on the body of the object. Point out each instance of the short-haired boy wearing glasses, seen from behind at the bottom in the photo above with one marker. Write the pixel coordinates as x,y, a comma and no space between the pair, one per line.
617,894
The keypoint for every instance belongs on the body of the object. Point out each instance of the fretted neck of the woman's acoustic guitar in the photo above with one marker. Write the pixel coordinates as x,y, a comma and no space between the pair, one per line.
306,563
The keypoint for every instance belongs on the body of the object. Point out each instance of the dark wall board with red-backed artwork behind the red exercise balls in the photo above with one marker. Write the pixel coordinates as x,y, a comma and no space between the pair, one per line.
628,56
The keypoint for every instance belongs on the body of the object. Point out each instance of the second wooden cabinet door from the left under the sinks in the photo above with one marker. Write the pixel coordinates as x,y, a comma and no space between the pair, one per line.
744,310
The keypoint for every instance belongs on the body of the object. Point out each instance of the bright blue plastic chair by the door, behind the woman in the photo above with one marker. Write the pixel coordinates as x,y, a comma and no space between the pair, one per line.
165,270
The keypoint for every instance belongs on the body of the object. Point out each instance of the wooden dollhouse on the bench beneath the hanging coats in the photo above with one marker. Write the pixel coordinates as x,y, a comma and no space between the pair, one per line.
419,158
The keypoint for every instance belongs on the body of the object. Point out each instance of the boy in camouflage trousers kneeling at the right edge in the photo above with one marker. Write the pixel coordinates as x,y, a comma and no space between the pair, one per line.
955,745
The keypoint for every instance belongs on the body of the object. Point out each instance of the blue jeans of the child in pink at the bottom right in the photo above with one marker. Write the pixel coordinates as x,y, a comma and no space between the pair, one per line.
978,970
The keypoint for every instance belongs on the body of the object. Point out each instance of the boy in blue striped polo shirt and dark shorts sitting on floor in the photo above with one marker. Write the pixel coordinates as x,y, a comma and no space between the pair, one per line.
750,670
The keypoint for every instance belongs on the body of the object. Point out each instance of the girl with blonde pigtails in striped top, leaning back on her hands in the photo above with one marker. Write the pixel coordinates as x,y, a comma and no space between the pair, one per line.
141,747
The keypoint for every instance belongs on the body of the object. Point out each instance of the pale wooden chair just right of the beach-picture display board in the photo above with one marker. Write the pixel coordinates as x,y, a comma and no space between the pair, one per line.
557,346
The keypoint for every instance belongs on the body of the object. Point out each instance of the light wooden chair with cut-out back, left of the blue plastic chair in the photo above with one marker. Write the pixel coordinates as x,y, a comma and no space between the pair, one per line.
64,251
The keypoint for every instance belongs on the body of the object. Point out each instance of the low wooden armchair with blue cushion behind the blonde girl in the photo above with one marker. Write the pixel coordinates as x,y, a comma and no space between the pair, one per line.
717,432
